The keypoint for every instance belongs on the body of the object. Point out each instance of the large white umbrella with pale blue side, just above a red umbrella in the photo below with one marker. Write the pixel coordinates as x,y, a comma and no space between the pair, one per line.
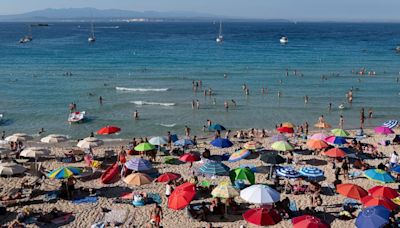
260,194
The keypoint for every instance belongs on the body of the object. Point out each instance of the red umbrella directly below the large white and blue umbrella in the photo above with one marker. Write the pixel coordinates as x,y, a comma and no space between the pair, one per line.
262,216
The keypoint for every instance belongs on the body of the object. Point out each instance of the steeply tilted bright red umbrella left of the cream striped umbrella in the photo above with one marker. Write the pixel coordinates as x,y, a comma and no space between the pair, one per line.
182,196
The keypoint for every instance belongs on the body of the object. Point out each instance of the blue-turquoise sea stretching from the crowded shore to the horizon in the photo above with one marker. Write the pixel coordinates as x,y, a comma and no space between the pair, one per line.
157,62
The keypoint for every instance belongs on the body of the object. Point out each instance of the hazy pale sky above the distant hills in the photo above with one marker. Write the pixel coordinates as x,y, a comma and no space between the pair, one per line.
365,10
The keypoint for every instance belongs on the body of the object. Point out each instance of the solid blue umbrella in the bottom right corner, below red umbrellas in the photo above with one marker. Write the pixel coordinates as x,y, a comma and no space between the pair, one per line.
373,217
